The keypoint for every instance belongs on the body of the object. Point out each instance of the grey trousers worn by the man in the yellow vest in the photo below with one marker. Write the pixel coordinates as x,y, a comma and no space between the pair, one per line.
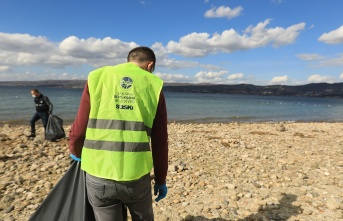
107,198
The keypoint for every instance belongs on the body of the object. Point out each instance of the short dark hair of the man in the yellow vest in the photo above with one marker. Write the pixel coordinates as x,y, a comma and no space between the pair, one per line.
142,54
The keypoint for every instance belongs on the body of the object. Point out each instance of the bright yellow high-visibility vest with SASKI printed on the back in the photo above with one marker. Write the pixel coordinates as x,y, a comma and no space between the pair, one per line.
123,101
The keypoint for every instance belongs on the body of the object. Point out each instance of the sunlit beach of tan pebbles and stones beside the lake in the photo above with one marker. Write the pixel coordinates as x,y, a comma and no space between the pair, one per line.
217,171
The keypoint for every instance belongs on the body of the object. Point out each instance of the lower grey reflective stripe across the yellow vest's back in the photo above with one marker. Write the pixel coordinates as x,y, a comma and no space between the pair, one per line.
116,146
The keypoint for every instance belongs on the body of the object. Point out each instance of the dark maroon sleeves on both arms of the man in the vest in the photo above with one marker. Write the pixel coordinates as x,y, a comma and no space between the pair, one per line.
159,134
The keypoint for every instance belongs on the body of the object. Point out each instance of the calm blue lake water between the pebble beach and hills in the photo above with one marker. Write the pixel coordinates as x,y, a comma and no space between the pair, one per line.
16,106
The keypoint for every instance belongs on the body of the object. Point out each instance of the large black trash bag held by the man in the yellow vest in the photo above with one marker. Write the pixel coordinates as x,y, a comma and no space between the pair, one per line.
67,201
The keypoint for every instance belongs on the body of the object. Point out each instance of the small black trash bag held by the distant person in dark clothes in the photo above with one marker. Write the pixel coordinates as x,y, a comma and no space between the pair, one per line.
54,128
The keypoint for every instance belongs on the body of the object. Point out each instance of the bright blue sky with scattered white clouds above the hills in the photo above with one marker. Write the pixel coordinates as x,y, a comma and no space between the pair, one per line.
260,42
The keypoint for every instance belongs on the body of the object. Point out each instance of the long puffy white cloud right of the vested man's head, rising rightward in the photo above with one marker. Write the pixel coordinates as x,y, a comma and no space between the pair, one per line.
201,44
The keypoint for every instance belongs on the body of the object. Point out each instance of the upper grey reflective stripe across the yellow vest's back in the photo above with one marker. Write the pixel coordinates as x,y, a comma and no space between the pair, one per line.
119,125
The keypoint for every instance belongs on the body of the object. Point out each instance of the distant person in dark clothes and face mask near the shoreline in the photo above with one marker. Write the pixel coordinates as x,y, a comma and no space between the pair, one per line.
43,109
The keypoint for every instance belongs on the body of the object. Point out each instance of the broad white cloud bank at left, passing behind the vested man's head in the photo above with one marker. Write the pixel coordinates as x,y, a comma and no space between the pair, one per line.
19,51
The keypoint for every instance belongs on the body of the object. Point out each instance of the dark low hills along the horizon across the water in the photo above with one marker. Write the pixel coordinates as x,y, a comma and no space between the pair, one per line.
310,90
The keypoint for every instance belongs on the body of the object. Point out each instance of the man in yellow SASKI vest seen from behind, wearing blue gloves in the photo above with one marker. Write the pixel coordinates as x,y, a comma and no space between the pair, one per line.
122,108
